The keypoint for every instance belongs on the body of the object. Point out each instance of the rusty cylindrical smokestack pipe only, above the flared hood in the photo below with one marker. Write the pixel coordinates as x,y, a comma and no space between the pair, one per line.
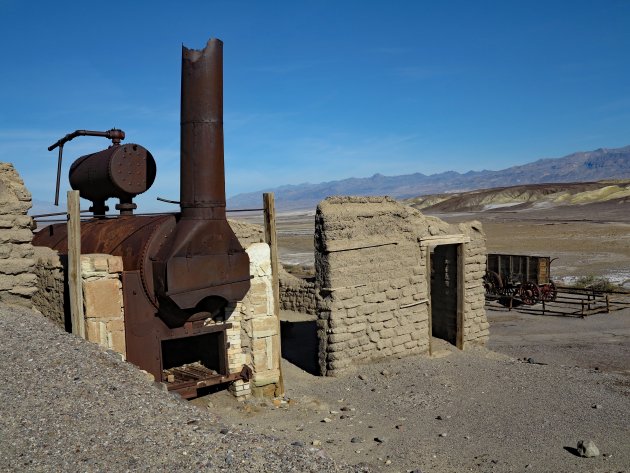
202,186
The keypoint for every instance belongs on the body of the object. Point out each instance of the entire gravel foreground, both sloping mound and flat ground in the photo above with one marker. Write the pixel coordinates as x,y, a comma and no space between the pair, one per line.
67,405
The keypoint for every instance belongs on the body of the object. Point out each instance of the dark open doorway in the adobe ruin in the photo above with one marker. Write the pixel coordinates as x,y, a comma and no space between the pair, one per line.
444,292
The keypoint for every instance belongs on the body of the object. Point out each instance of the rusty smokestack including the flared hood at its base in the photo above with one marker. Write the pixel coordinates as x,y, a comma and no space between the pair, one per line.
201,266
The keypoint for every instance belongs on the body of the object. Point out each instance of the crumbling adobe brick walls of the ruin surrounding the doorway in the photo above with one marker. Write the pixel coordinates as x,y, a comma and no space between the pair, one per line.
371,266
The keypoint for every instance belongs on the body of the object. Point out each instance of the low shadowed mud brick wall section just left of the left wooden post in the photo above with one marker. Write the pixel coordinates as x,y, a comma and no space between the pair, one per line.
49,299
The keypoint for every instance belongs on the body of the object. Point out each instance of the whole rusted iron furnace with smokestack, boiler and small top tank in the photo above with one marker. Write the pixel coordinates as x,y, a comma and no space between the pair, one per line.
179,269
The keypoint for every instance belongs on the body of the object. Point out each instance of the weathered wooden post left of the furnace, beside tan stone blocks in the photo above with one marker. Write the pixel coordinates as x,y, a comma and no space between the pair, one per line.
74,265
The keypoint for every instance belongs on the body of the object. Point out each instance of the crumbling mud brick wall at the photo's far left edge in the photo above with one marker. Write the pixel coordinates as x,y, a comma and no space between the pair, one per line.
18,282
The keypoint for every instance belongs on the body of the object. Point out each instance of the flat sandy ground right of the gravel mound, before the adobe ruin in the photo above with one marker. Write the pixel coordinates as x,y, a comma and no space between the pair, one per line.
478,410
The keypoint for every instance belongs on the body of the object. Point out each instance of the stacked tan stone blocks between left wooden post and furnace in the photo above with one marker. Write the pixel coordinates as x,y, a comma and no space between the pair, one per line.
103,301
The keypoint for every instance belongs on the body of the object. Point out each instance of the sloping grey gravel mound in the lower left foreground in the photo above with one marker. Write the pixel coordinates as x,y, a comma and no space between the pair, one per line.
67,405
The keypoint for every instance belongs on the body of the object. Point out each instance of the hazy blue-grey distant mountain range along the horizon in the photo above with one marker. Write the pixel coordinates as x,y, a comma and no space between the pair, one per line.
577,167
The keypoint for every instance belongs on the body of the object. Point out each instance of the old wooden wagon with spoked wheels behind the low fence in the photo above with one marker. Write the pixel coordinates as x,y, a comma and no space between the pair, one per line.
519,277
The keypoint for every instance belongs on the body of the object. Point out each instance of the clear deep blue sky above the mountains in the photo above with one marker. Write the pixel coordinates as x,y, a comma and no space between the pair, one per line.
318,90
